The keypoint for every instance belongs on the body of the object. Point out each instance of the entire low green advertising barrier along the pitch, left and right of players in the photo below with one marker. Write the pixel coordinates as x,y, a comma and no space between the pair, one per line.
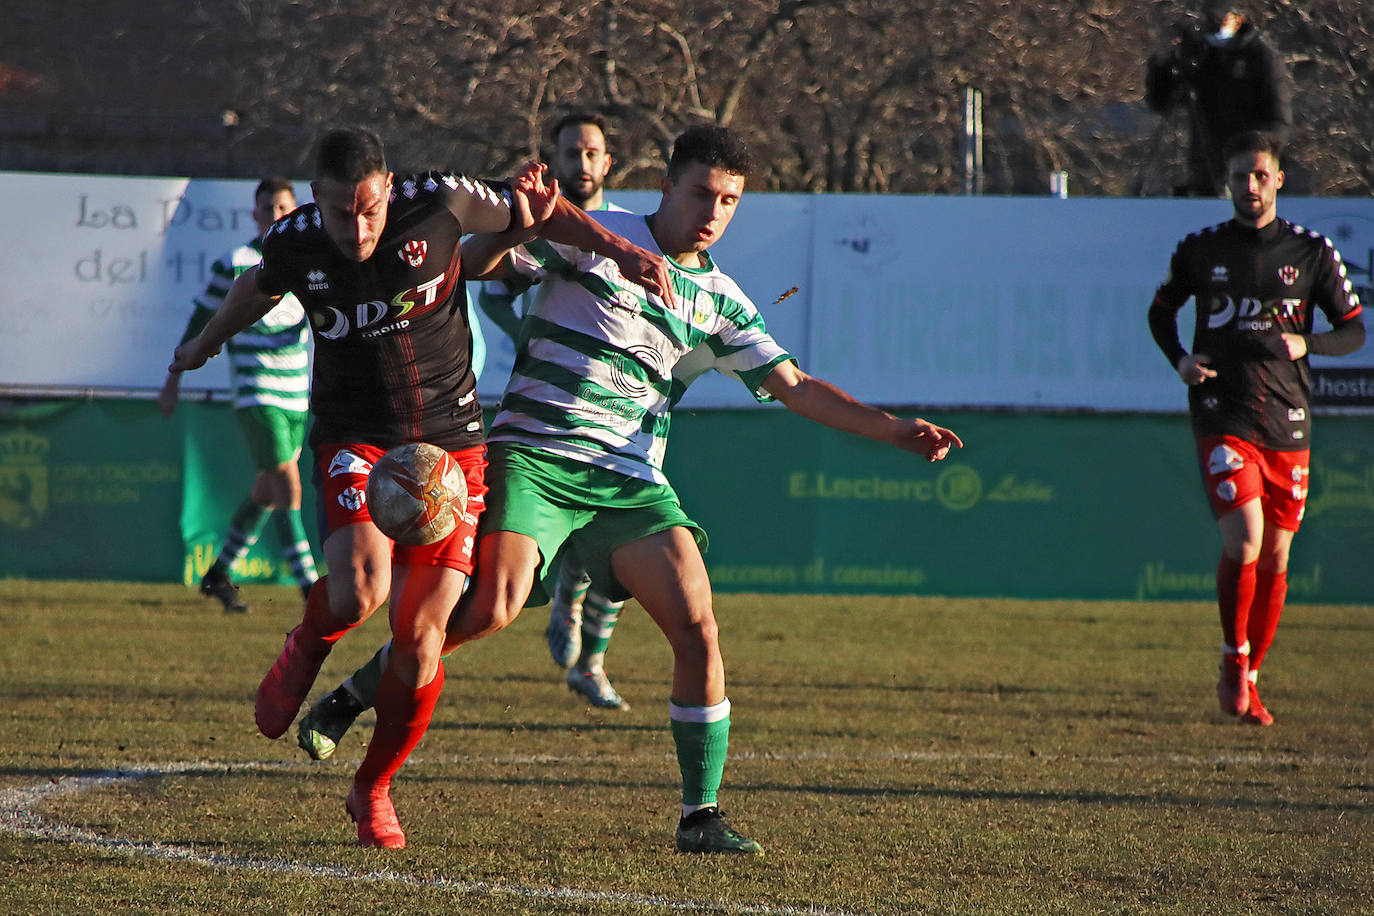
1089,506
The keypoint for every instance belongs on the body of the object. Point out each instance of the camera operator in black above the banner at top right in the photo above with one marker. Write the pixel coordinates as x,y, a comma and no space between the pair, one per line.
1228,79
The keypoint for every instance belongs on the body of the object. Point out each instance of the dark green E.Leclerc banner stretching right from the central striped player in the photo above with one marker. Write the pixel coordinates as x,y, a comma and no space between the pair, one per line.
1035,506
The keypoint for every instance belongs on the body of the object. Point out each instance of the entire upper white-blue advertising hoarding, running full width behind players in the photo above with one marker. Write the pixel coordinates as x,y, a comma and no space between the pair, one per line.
1028,303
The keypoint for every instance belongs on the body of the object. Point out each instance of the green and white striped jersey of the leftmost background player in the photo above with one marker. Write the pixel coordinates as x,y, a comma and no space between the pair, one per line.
269,360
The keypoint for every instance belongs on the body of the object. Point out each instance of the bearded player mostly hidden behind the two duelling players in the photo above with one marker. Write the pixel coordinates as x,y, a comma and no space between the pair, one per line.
581,619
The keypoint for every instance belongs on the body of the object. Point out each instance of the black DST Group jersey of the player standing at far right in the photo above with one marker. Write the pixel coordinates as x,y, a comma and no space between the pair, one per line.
1247,285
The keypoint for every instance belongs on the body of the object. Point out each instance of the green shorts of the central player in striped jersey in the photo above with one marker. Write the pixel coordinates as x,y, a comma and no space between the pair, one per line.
571,506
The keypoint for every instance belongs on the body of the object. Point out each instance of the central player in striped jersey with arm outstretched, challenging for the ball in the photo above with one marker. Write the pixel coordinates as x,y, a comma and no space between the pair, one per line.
578,448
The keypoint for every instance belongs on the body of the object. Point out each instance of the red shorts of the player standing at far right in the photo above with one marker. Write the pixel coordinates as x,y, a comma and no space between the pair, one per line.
1236,472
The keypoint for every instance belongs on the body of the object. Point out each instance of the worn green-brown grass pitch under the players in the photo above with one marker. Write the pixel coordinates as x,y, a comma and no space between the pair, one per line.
894,755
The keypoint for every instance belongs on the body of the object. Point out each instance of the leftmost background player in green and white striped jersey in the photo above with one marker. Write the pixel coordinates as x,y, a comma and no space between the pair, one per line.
270,369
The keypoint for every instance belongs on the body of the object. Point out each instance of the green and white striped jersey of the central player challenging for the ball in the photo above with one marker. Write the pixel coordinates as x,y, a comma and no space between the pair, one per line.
601,363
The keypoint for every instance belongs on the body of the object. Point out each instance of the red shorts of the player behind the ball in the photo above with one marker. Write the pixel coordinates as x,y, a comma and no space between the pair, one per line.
341,472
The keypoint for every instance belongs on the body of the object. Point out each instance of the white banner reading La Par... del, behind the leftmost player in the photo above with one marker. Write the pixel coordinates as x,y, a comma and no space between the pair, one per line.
101,274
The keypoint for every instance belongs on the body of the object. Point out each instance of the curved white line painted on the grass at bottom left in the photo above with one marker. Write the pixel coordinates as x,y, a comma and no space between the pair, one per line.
17,816
